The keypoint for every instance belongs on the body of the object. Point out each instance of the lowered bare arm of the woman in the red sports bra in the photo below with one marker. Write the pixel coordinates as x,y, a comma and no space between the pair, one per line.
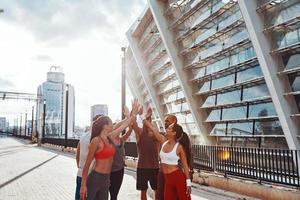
92,150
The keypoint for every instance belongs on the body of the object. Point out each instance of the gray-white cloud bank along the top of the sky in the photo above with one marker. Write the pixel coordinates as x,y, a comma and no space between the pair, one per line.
59,22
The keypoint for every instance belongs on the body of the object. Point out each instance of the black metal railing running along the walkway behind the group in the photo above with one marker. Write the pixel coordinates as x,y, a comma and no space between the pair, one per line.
264,165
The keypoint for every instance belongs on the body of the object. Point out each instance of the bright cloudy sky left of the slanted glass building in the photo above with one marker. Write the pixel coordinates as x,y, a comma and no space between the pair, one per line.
84,37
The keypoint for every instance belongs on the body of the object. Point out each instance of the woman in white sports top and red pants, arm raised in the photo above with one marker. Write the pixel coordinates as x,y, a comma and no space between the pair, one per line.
177,182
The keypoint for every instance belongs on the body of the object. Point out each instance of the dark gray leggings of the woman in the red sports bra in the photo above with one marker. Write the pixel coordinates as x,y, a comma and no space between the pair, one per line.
97,186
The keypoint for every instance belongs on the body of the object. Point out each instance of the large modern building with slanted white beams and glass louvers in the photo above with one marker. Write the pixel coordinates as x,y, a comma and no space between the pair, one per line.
229,70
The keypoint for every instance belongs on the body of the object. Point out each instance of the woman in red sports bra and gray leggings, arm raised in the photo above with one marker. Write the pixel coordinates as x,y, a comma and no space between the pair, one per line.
96,184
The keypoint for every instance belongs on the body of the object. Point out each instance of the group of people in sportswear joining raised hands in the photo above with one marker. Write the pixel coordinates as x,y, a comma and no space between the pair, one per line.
164,160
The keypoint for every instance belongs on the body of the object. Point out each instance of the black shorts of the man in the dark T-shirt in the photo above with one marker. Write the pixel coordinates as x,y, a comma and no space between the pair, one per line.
145,175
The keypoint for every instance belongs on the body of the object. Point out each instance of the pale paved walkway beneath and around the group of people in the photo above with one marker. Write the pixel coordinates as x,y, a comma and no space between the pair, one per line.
28,172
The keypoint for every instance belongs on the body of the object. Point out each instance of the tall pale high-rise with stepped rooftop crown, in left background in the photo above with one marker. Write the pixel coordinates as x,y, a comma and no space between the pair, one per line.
58,99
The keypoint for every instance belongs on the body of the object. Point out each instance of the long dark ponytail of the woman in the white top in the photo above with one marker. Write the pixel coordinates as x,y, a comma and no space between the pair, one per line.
184,140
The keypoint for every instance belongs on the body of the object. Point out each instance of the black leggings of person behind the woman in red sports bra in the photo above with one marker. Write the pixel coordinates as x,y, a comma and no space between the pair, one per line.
116,179
